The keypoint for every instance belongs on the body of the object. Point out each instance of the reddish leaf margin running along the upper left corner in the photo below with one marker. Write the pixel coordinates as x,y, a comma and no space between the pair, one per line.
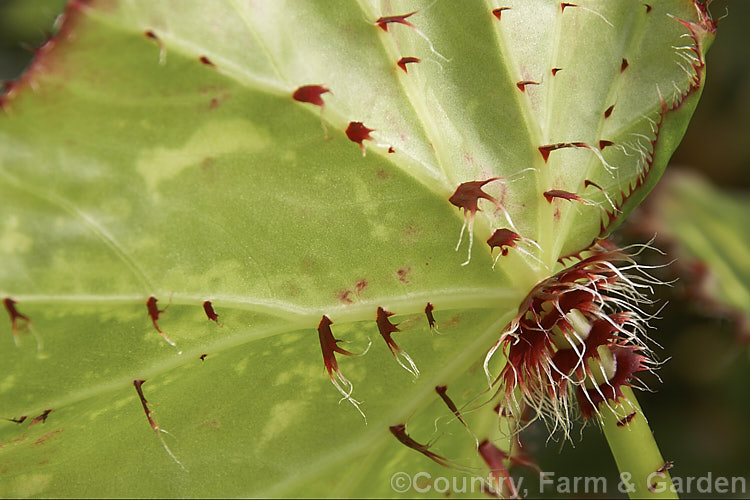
42,61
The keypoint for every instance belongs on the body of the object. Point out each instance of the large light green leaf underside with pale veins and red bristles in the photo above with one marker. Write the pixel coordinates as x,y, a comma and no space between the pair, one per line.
123,178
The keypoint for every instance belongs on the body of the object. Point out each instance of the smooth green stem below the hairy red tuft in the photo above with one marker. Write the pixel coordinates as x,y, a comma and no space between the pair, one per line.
635,451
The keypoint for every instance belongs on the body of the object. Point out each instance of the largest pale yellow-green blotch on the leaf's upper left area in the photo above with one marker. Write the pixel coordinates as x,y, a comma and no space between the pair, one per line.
211,140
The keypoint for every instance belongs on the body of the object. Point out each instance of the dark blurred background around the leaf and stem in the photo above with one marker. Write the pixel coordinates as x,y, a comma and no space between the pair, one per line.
700,413
